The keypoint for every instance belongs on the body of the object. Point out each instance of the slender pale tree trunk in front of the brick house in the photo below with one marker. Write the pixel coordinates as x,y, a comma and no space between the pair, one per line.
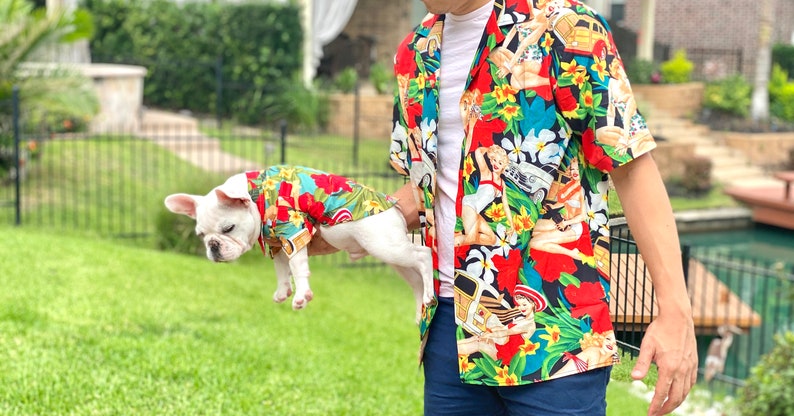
763,62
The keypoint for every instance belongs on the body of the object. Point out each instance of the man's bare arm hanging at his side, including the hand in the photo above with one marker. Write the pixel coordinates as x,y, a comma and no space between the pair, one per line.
670,338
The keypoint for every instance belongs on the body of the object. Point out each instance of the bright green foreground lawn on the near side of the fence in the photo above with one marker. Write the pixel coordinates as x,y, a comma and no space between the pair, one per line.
92,327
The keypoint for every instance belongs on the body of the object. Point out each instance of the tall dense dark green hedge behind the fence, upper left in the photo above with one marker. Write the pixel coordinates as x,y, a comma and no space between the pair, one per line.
258,47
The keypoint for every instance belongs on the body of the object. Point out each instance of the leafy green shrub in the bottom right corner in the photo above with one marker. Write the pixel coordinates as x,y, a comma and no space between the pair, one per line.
769,390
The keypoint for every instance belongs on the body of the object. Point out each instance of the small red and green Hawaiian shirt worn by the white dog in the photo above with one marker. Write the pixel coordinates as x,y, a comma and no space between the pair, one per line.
294,200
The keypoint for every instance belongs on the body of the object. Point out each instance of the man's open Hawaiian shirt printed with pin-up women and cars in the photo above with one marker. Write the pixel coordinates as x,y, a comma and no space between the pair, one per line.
547,113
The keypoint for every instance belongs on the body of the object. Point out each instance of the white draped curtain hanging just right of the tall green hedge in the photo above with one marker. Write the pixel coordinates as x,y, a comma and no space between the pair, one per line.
329,18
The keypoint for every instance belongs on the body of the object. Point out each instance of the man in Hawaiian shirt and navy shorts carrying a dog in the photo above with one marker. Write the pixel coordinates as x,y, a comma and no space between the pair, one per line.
542,80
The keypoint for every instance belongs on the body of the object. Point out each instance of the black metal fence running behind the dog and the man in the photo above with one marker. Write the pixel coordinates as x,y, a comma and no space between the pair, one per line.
114,185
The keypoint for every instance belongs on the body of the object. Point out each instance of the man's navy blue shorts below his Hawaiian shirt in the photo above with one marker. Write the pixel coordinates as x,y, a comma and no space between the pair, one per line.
445,395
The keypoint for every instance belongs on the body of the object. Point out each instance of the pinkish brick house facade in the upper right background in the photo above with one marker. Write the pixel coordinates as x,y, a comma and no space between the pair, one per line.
712,31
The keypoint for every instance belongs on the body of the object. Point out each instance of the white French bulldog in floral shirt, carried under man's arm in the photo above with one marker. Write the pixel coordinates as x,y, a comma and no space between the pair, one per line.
284,207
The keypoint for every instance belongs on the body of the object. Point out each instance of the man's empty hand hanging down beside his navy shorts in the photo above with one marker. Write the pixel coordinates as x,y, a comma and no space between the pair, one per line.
670,343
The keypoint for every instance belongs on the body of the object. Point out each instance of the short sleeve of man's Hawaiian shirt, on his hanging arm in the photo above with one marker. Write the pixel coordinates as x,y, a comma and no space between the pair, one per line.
594,93
